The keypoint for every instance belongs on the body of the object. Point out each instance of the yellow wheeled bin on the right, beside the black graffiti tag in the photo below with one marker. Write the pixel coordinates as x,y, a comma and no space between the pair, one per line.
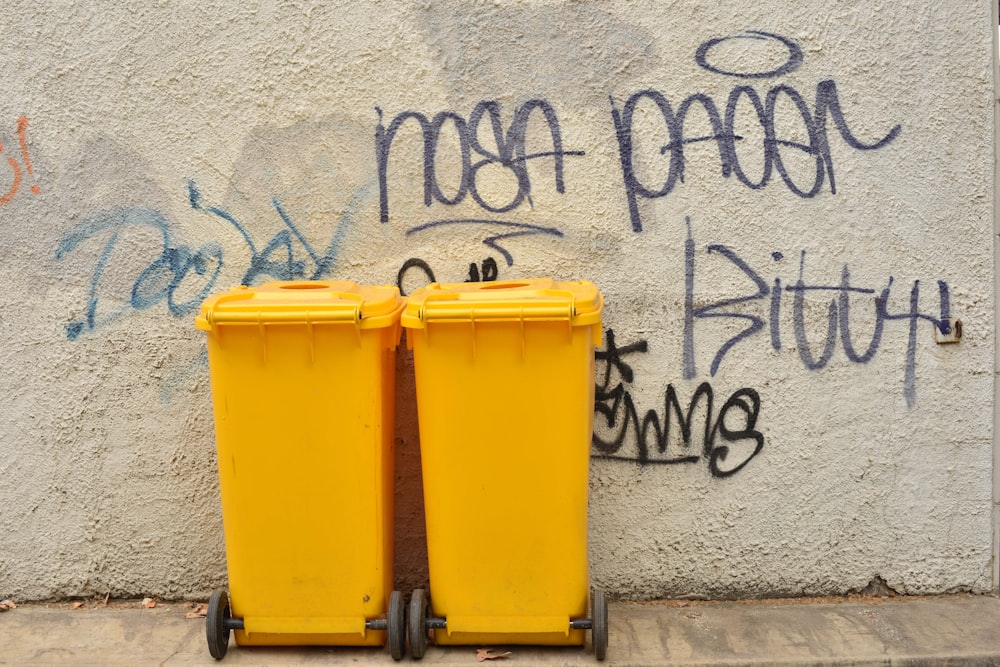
505,400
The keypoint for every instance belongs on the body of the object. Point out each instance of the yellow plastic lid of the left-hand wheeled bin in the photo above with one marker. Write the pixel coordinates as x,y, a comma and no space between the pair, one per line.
302,301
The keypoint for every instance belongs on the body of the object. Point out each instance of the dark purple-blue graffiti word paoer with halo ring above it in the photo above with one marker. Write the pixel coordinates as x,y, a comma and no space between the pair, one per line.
826,107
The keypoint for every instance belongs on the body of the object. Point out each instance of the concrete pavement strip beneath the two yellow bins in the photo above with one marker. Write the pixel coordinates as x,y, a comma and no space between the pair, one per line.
941,630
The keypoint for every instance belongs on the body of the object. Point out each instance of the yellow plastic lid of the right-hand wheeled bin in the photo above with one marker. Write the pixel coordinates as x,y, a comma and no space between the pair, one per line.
535,299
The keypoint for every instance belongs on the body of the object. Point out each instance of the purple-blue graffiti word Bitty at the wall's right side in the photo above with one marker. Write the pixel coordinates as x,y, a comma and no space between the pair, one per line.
838,314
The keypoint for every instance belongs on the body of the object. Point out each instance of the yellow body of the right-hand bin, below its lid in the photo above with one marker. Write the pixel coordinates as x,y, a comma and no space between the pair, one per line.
506,412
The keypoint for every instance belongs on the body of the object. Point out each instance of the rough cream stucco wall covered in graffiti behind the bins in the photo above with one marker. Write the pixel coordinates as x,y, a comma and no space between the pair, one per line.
780,202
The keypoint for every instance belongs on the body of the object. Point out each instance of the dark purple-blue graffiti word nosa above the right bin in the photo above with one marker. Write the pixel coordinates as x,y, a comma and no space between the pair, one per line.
507,151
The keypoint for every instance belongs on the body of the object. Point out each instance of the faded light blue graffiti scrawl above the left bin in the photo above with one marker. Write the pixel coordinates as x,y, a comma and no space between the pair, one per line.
177,263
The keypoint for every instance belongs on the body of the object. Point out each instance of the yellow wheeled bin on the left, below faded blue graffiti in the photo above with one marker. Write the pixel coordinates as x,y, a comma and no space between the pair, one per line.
302,390
